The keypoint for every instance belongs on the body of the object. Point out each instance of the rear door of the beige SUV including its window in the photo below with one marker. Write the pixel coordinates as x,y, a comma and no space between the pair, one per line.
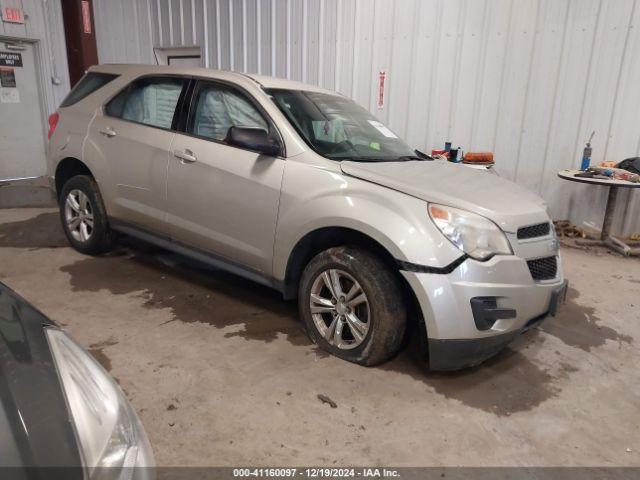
132,137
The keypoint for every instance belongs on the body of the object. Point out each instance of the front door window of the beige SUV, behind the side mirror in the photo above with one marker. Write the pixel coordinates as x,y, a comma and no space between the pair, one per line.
217,108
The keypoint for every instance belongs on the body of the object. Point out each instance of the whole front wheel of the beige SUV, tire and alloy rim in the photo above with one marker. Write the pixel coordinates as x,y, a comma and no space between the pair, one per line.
383,313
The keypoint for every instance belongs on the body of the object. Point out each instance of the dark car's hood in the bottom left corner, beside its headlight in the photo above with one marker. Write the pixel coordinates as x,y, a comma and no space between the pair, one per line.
35,425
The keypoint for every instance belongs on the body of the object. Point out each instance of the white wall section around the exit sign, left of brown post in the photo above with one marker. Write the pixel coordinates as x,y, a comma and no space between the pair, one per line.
43,22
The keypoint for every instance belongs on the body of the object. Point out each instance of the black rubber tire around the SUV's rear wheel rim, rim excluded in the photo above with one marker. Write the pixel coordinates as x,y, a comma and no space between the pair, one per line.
100,239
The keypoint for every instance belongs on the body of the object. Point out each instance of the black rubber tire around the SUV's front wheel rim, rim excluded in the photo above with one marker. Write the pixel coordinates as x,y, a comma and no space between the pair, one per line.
387,313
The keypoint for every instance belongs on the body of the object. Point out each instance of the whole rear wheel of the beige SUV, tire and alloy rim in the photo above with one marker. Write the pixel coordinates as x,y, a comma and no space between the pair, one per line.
88,240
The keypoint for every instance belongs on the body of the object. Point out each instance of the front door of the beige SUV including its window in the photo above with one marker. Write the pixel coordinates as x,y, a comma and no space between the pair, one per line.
222,198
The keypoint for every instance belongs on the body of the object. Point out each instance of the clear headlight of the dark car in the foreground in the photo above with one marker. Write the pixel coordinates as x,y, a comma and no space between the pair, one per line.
111,437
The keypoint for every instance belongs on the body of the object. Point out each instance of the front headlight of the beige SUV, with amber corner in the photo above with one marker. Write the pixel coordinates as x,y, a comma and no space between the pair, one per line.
475,235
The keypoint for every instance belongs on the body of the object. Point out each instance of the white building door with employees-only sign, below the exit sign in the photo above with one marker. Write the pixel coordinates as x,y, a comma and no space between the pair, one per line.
22,120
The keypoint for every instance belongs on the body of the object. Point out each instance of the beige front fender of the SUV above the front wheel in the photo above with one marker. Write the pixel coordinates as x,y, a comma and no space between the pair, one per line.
314,197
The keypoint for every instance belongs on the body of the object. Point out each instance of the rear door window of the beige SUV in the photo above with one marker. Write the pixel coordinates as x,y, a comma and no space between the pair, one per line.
150,101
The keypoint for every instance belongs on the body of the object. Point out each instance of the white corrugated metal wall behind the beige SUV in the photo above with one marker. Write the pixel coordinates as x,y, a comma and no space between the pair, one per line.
526,79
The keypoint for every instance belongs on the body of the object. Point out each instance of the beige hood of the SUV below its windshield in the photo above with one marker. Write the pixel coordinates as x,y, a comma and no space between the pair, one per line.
507,204
